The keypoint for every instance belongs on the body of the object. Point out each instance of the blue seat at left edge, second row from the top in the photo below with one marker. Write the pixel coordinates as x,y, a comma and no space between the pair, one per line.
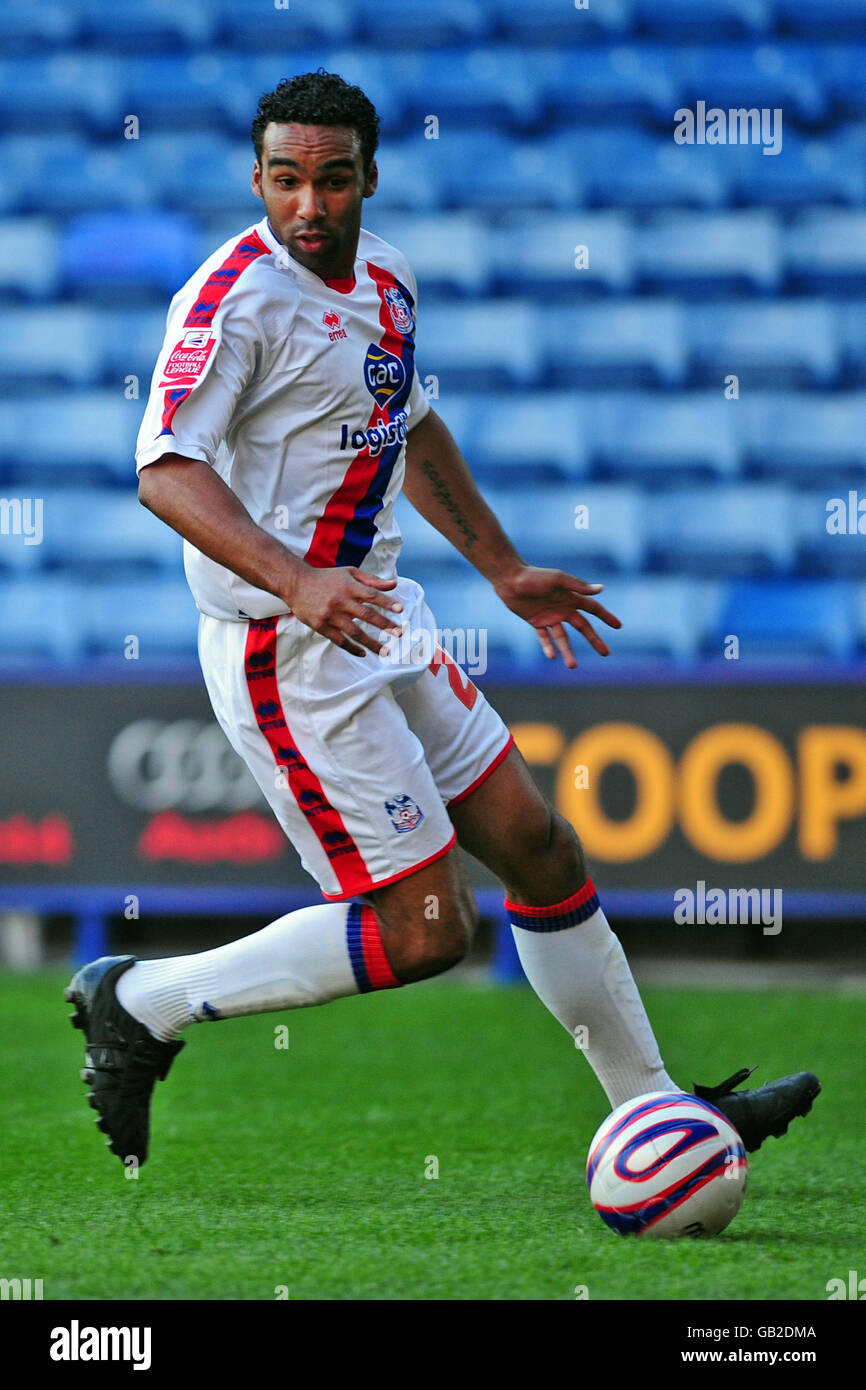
77,88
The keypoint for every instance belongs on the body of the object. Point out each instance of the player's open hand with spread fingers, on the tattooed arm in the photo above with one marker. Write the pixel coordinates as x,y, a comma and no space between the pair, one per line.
548,600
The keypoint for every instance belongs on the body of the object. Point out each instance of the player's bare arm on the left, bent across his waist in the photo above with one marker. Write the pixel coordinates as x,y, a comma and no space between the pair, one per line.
191,498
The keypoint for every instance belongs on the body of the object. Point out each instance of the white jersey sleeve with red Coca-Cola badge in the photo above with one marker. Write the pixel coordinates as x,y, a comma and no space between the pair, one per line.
205,365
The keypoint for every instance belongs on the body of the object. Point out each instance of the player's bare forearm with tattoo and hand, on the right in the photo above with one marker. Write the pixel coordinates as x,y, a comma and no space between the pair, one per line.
441,487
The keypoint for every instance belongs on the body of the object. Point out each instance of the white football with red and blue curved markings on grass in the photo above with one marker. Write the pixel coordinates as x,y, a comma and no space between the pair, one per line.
667,1166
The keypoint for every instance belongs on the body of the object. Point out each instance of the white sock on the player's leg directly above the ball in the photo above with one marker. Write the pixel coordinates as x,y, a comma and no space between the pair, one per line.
579,971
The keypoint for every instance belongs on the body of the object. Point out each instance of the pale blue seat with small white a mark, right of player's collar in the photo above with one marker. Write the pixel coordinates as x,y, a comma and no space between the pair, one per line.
539,251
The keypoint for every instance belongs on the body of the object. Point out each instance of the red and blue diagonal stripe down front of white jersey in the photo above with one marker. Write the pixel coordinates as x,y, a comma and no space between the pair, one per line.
347,529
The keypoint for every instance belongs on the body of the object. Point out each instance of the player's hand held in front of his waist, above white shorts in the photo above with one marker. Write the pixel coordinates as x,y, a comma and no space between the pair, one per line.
333,603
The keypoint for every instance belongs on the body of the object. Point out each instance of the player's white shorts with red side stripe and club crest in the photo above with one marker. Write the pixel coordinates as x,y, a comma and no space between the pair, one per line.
358,757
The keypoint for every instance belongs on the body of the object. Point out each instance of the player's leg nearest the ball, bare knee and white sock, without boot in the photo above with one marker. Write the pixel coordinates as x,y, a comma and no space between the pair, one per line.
571,956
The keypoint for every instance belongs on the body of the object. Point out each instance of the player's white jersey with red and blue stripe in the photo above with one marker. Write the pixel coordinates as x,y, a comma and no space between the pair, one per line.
300,394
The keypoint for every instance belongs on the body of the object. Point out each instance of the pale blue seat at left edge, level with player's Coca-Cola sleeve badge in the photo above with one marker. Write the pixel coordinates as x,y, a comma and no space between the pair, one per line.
52,344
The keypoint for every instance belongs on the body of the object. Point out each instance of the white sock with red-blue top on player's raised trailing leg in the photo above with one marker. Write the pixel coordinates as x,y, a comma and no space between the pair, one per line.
308,957
